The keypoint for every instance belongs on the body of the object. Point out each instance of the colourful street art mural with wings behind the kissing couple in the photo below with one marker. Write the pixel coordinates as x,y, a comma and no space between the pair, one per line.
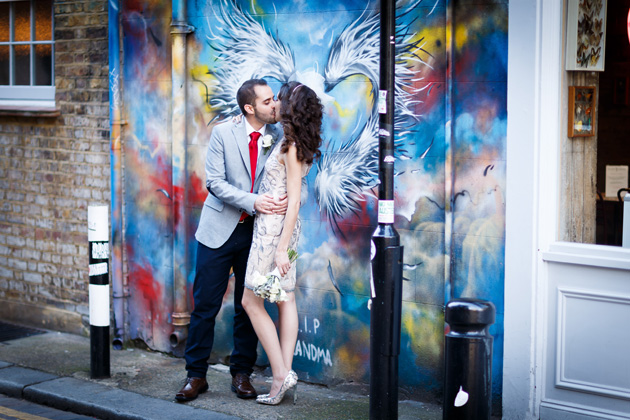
450,121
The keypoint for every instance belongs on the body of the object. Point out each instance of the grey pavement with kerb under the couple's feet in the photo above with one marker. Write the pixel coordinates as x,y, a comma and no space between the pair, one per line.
54,369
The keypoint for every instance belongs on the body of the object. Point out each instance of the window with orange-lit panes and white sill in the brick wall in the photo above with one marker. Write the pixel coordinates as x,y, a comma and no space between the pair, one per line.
26,54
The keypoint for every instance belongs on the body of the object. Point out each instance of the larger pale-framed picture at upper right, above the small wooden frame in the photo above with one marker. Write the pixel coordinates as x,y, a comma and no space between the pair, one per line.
586,35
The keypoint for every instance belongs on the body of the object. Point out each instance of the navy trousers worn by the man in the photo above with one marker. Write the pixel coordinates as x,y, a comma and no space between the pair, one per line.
211,282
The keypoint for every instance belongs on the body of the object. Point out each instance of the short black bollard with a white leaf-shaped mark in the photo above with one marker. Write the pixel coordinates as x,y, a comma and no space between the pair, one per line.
468,360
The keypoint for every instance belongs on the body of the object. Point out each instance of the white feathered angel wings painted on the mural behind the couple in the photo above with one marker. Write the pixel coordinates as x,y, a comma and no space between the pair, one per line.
244,48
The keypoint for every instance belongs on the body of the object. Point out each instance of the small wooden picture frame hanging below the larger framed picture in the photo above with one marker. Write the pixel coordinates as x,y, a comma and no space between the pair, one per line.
581,111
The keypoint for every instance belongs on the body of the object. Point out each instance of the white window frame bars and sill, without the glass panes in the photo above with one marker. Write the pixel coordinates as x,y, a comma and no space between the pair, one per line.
28,96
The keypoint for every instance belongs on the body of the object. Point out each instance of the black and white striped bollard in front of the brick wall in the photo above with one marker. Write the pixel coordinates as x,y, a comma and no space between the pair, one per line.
98,238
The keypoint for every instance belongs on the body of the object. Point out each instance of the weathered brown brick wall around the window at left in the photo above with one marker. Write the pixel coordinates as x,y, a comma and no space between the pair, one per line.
51,169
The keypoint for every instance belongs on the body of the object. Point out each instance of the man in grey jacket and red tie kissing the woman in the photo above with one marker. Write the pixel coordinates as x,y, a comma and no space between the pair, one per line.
224,236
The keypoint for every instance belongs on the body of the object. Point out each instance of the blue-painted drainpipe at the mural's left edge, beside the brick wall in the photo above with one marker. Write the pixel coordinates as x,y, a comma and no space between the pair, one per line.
115,104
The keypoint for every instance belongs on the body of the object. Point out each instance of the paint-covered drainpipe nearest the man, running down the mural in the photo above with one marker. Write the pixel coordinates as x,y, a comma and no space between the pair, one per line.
180,317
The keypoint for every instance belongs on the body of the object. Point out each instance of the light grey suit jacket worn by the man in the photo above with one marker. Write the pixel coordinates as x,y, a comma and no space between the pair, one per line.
228,177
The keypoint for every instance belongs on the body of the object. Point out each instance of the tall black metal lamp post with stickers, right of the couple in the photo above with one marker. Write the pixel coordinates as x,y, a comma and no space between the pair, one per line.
387,253
